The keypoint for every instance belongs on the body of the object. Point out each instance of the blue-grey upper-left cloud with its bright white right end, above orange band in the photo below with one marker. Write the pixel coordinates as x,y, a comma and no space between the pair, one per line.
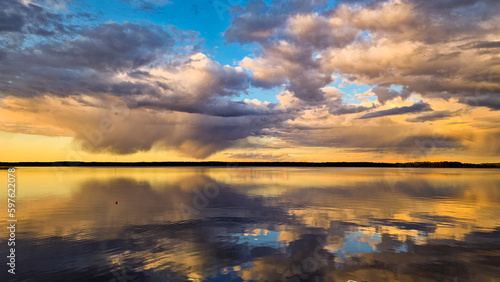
139,63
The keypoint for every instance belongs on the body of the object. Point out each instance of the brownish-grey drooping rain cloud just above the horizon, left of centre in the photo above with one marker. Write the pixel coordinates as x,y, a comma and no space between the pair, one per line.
199,137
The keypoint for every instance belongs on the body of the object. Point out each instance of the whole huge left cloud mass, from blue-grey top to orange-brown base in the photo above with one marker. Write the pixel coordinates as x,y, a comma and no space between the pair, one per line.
176,97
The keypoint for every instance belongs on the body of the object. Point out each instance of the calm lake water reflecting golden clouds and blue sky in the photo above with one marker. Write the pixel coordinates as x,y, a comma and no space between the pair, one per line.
255,224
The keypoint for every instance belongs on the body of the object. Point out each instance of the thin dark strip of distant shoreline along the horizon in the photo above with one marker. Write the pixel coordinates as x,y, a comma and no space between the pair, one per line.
249,164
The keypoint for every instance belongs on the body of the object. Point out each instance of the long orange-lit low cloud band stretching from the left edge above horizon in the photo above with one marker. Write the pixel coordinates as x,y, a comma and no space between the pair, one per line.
106,124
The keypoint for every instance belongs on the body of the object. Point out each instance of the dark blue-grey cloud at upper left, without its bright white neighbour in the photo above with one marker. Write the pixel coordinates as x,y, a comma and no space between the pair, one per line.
86,64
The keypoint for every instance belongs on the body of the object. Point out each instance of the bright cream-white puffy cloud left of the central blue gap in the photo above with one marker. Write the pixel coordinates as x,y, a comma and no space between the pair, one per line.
196,85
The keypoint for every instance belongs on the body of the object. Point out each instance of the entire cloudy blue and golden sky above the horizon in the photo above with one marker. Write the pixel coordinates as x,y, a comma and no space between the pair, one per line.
169,80
